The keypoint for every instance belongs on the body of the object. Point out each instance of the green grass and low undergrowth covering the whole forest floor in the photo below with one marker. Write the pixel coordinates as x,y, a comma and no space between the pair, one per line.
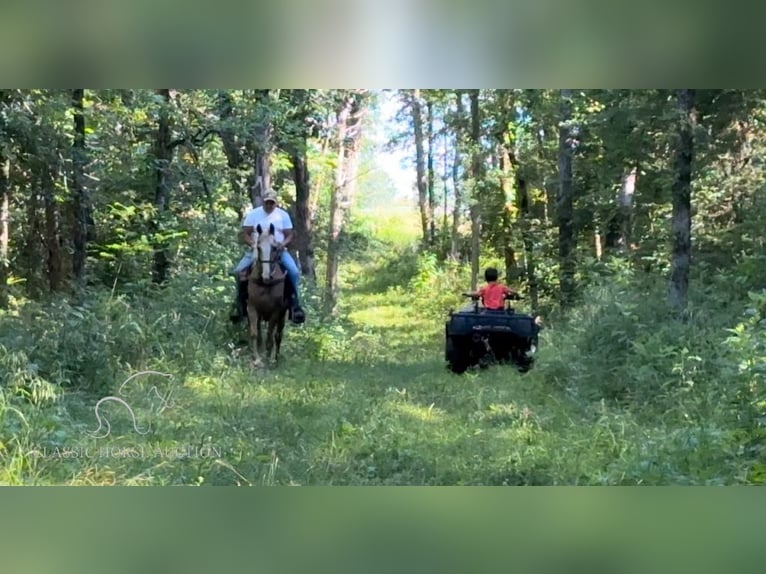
620,395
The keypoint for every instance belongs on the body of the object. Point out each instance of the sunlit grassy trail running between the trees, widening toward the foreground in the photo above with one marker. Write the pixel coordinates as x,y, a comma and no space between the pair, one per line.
365,401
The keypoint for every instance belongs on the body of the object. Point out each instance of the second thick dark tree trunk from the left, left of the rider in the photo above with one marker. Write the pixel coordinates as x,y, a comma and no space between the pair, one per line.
163,155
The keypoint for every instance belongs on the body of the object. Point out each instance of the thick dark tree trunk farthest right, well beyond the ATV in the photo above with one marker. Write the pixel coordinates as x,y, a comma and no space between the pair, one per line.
681,263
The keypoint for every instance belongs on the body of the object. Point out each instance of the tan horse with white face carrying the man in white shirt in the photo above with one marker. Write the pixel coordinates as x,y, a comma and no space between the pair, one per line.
266,299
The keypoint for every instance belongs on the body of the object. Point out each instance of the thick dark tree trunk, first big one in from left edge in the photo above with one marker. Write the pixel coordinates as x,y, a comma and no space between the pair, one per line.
83,218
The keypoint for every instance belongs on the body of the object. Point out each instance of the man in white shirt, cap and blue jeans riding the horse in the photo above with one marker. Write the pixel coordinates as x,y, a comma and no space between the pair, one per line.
268,214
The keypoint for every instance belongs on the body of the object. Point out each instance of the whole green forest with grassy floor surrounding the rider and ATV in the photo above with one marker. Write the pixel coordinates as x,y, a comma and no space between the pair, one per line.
631,221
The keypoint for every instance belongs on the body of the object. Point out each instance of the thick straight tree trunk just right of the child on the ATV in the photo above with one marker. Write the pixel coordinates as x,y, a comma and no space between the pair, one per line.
564,205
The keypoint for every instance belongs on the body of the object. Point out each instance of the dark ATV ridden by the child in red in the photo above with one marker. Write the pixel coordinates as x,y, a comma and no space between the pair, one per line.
476,335
